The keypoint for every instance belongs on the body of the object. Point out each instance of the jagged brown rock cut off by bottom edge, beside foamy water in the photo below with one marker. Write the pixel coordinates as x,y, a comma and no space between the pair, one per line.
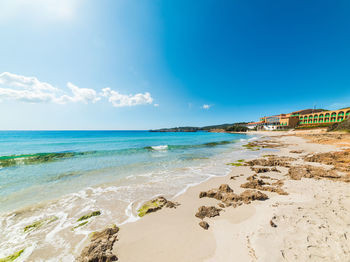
100,247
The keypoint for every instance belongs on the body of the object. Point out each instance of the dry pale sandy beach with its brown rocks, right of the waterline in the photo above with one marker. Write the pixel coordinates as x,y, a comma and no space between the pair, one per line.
304,218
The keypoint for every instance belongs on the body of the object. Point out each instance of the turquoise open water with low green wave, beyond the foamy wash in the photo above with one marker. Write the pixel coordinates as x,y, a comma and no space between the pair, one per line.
48,164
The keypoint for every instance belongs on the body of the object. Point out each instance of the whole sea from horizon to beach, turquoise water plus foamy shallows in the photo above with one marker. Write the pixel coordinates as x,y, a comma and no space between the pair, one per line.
49,179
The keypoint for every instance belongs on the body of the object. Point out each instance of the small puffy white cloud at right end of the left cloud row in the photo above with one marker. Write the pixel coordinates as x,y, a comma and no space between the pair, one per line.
120,100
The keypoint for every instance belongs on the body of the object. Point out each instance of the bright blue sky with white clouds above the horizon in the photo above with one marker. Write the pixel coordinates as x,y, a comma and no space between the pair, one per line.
124,65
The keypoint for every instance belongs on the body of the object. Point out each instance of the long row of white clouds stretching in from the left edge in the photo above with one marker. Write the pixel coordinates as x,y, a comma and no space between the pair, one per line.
30,89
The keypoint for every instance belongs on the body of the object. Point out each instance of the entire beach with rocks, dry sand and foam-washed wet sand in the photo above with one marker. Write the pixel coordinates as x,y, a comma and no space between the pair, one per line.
275,199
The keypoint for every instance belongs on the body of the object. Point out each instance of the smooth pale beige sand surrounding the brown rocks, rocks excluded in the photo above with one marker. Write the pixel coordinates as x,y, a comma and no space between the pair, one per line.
246,232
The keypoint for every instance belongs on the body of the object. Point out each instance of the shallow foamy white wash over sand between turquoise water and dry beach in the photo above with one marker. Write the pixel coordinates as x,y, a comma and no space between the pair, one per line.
59,236
